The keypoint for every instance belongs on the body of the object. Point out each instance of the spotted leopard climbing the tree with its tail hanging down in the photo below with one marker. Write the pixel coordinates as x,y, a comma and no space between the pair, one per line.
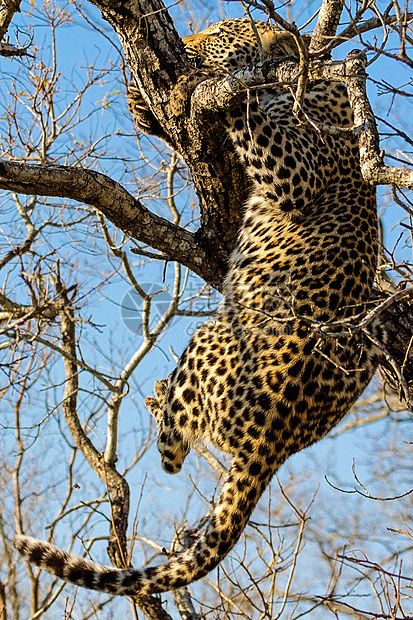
280,363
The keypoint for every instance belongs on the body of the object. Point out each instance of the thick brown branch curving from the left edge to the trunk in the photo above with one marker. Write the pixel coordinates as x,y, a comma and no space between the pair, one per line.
120,207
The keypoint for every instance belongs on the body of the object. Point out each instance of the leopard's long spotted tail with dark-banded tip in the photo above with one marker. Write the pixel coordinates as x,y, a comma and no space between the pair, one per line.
244,484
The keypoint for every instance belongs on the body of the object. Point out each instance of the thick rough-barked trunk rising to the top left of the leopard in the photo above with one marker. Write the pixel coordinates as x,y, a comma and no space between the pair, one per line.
158,62
